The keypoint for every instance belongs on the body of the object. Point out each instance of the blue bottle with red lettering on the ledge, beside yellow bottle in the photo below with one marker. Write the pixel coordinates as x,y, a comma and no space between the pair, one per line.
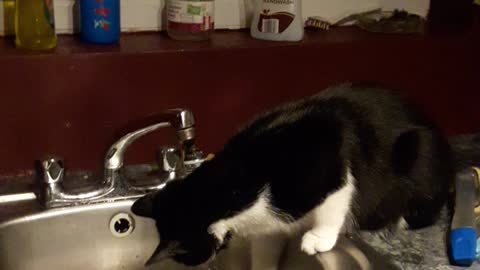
100,21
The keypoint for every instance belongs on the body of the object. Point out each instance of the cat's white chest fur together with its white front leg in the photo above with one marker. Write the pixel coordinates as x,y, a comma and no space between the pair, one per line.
323,223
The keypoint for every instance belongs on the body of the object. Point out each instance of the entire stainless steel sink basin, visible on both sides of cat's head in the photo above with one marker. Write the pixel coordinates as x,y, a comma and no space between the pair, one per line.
109,237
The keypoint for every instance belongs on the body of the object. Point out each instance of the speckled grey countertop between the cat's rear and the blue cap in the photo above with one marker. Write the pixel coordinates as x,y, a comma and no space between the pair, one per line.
423,249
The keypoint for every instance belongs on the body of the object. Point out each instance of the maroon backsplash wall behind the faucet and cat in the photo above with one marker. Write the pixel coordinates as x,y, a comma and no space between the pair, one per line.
78,100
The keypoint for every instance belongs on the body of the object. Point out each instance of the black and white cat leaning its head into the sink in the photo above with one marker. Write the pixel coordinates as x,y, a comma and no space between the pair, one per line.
350,157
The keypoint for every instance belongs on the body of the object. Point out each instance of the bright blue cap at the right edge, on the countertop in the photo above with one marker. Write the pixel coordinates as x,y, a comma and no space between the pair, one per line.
463,242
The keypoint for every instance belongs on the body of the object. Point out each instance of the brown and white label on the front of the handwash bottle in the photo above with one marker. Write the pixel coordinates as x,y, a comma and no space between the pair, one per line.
276,16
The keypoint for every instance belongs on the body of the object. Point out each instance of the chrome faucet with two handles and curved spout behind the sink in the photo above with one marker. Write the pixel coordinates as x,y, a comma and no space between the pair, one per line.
175,163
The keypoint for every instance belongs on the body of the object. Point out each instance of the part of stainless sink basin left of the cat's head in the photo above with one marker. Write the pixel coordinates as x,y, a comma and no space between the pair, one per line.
75,238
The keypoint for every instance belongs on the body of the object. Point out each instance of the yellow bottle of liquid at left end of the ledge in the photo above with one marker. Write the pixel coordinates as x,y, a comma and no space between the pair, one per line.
34,24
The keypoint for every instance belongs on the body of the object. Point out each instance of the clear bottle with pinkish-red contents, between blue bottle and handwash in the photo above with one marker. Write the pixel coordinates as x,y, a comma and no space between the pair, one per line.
190,20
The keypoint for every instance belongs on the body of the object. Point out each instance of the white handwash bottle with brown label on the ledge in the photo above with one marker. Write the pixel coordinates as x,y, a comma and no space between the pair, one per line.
279,20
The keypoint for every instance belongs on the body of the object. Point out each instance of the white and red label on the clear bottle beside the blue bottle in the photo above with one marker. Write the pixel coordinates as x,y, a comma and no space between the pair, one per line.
190,16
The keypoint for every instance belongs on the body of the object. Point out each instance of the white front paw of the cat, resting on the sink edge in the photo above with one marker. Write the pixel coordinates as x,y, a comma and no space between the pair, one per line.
314,242
